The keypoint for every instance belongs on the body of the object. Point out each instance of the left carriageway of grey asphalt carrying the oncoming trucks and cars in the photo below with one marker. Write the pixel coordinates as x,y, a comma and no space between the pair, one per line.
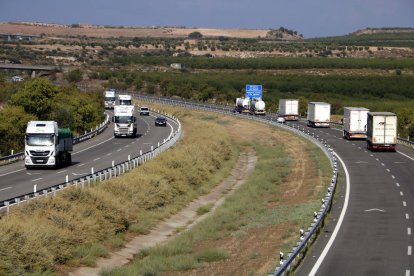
95,154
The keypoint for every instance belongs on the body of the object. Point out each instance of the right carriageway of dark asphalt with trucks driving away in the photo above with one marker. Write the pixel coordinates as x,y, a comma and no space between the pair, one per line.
375,235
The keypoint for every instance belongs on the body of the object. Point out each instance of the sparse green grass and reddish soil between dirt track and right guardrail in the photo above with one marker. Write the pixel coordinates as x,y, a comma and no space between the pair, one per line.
262,217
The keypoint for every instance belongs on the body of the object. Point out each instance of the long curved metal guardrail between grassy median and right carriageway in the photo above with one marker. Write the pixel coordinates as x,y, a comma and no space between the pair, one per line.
307,237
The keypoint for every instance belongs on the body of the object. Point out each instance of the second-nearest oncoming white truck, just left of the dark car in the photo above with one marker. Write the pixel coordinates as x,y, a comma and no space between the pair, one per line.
125,121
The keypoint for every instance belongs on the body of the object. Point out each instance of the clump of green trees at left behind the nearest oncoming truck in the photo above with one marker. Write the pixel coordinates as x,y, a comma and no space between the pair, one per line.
39,99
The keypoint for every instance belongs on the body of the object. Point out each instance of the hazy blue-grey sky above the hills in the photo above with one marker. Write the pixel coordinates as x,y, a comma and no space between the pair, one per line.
312,18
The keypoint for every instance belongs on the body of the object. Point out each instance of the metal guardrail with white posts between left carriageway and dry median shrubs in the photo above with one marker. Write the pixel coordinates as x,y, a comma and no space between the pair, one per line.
107,173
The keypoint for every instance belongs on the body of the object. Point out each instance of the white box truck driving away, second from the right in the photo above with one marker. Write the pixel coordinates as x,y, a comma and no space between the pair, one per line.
355,122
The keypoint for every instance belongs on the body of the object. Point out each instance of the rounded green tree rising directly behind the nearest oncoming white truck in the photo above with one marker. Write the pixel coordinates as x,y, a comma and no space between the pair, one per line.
36,97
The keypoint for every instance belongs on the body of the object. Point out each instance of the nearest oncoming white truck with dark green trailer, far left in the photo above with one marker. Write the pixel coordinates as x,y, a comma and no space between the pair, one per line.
46,145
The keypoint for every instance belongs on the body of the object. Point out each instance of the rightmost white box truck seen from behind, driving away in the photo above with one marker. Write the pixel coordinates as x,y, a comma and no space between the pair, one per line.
381,131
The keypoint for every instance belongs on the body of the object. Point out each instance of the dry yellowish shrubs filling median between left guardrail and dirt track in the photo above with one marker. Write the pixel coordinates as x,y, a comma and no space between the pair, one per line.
79,225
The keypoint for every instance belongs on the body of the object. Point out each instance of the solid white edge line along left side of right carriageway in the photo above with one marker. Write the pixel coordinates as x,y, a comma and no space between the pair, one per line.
338,225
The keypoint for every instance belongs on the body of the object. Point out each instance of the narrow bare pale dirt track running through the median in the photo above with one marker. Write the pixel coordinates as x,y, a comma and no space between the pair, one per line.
186,218
